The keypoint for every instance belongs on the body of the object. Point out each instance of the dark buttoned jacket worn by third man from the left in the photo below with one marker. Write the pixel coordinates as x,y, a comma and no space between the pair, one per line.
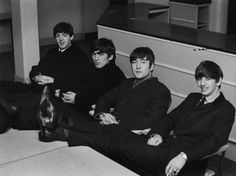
139,107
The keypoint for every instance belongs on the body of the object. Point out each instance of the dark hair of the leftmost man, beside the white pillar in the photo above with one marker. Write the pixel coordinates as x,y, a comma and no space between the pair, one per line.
63,27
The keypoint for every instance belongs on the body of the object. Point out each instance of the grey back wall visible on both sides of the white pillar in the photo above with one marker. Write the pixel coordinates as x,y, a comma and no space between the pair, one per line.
82,14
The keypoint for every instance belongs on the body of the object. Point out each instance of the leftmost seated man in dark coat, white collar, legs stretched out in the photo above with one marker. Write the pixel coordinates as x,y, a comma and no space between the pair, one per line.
60,64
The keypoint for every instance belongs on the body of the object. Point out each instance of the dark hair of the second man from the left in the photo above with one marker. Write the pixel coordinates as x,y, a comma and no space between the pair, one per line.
104,45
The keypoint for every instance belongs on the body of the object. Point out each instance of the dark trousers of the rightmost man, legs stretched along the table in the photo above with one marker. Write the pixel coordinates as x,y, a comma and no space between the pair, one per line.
129,149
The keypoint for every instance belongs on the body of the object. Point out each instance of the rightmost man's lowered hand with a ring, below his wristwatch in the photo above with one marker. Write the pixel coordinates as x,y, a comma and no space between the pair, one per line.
175,165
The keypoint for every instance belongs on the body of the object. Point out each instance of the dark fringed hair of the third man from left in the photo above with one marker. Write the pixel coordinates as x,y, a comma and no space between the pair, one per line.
142,52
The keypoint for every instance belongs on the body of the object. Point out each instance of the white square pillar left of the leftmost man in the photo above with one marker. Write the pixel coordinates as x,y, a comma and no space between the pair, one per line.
25,37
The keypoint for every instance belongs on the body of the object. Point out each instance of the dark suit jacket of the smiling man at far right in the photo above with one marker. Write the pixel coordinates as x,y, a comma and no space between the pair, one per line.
198,131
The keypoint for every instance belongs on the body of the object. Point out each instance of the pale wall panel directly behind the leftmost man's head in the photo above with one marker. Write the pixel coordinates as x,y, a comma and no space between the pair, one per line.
51,12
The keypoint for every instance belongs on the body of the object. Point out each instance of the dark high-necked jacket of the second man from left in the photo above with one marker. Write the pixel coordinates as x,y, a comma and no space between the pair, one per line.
93,82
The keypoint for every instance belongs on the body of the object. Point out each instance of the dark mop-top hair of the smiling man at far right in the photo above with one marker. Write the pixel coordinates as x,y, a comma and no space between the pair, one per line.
208,69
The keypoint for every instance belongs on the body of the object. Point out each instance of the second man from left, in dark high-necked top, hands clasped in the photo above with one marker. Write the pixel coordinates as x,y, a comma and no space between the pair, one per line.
95,79
